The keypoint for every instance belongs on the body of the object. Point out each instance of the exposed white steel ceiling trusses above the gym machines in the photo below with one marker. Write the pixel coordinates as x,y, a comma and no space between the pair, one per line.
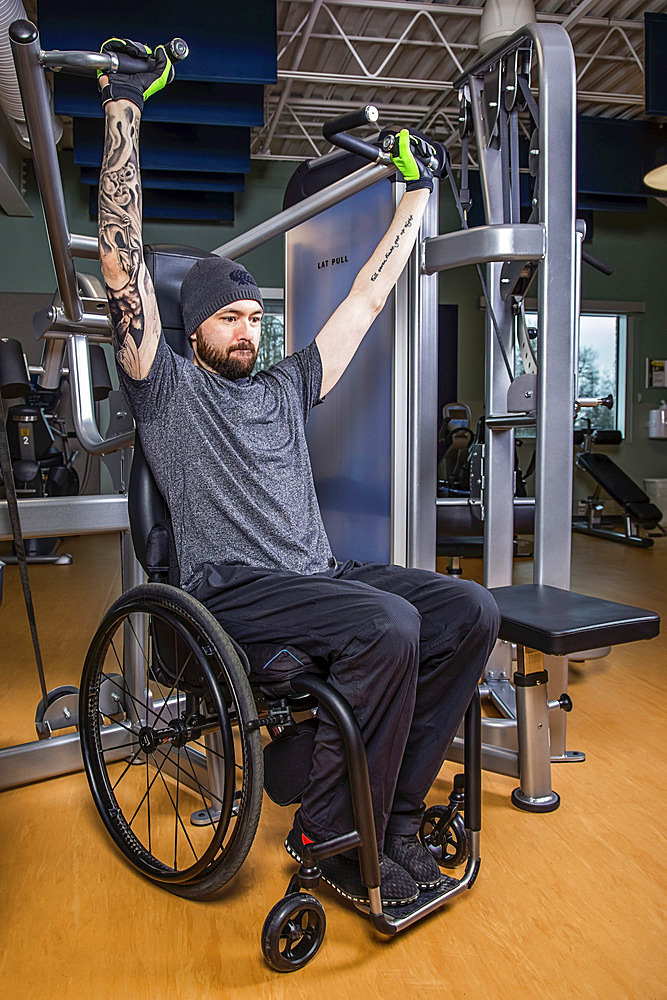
335,56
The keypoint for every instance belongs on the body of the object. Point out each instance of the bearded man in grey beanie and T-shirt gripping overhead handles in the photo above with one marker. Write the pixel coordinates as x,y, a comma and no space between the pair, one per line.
228,452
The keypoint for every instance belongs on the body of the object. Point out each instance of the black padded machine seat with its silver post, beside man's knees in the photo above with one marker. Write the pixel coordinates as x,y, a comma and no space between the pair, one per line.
545,620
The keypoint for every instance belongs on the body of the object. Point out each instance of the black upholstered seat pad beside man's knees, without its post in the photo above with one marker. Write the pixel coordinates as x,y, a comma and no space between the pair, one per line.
558,622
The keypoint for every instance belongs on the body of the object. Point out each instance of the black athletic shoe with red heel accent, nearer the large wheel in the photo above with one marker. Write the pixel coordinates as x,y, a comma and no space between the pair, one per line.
343,875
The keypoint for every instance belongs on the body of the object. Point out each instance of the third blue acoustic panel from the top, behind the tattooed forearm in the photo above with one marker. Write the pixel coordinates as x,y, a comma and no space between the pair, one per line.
172,146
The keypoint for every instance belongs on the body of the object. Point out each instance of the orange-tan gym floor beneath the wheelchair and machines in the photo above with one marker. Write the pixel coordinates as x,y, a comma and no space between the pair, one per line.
567,905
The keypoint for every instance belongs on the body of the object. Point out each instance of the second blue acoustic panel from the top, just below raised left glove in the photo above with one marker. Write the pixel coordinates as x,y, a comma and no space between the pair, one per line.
181,101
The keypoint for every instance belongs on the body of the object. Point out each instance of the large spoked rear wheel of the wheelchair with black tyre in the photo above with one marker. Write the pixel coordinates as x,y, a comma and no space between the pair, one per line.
170,741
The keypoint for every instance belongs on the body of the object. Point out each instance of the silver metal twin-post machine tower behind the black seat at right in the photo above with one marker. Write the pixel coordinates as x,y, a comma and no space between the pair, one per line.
533,732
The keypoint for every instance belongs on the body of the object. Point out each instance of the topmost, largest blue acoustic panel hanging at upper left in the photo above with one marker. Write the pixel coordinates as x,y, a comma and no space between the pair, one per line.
228,41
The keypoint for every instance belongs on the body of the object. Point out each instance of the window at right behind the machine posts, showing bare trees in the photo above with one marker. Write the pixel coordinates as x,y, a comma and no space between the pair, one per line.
602,366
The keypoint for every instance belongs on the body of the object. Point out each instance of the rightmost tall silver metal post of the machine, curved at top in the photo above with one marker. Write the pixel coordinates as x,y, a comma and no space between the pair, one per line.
557,306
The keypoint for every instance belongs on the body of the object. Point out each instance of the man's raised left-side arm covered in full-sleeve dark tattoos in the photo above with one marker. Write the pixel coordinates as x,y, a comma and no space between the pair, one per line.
132,302
